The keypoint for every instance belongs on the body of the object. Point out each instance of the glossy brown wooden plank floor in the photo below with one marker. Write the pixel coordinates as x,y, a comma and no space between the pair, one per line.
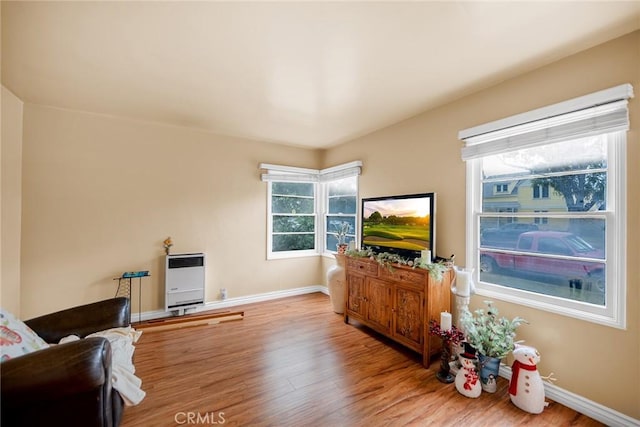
293,362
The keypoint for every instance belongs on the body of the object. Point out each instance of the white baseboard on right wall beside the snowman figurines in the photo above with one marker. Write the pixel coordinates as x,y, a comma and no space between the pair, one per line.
581,404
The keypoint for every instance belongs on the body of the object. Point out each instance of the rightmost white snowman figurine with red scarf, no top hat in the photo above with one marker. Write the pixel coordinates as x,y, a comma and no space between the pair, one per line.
526,389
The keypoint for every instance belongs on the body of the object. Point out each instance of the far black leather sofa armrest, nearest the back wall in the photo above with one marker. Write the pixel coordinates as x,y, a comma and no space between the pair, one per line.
82,320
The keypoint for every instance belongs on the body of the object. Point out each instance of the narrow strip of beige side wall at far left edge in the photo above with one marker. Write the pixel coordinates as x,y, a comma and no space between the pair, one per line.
12,111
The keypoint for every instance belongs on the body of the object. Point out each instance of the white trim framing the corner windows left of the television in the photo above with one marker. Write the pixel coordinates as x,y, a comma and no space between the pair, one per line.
281,173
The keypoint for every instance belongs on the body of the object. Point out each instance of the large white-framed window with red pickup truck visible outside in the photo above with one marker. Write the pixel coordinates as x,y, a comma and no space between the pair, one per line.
565,248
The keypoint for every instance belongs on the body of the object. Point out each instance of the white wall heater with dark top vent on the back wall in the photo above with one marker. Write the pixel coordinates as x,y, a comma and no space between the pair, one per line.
184,281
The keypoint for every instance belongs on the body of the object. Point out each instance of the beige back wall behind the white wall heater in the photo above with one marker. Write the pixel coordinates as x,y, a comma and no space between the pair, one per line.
101,194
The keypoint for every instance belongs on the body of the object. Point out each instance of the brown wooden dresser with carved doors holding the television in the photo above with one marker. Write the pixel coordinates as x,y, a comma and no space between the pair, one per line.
397,302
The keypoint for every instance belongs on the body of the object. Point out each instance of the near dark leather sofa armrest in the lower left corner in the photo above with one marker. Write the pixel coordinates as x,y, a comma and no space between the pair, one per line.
67,369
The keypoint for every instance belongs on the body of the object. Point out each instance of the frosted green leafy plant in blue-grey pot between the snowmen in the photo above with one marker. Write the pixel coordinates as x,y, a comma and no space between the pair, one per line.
492,337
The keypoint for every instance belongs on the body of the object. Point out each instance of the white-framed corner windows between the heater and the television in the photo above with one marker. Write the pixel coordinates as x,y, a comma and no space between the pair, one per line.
310,210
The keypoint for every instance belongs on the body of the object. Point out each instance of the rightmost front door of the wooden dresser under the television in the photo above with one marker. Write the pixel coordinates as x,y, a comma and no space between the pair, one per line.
408,316
